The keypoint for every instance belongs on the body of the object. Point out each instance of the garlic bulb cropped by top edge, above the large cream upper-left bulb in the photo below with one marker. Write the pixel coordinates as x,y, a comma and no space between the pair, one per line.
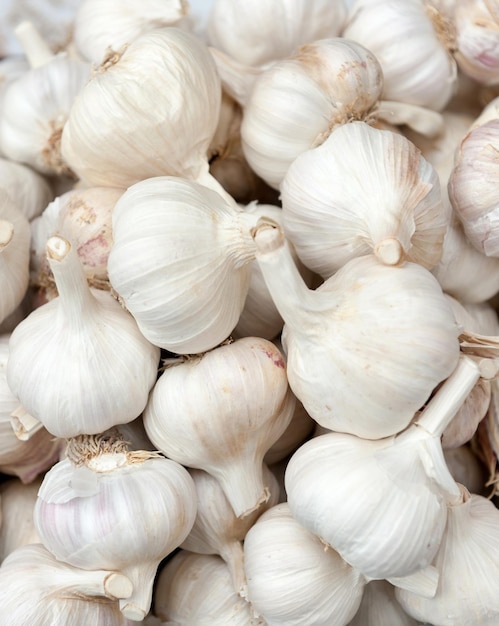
103,24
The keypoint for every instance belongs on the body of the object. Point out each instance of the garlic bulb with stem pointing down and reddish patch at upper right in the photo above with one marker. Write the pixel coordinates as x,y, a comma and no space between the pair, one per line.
242,404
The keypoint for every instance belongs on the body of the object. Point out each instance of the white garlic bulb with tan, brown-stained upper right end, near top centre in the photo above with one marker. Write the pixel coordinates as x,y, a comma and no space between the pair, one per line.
296,102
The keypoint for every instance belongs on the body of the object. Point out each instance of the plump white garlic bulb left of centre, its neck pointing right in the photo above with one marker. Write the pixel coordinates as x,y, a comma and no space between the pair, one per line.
180,262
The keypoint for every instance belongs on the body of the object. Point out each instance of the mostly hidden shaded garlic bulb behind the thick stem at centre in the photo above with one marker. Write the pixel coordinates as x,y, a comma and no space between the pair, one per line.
259,316
